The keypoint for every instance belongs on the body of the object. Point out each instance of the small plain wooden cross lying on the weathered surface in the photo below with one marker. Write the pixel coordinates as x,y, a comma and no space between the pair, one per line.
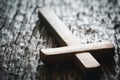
82,54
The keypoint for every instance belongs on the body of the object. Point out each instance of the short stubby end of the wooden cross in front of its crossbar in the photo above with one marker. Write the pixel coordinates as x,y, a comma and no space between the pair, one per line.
86,62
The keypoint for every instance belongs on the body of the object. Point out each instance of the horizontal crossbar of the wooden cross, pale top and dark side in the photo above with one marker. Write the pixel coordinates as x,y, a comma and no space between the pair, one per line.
103,49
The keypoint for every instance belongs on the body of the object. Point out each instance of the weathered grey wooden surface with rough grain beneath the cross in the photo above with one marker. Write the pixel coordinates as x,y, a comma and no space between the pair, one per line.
22,36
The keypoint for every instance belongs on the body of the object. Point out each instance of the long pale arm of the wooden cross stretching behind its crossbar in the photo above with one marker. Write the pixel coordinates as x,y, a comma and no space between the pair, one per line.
57,28
